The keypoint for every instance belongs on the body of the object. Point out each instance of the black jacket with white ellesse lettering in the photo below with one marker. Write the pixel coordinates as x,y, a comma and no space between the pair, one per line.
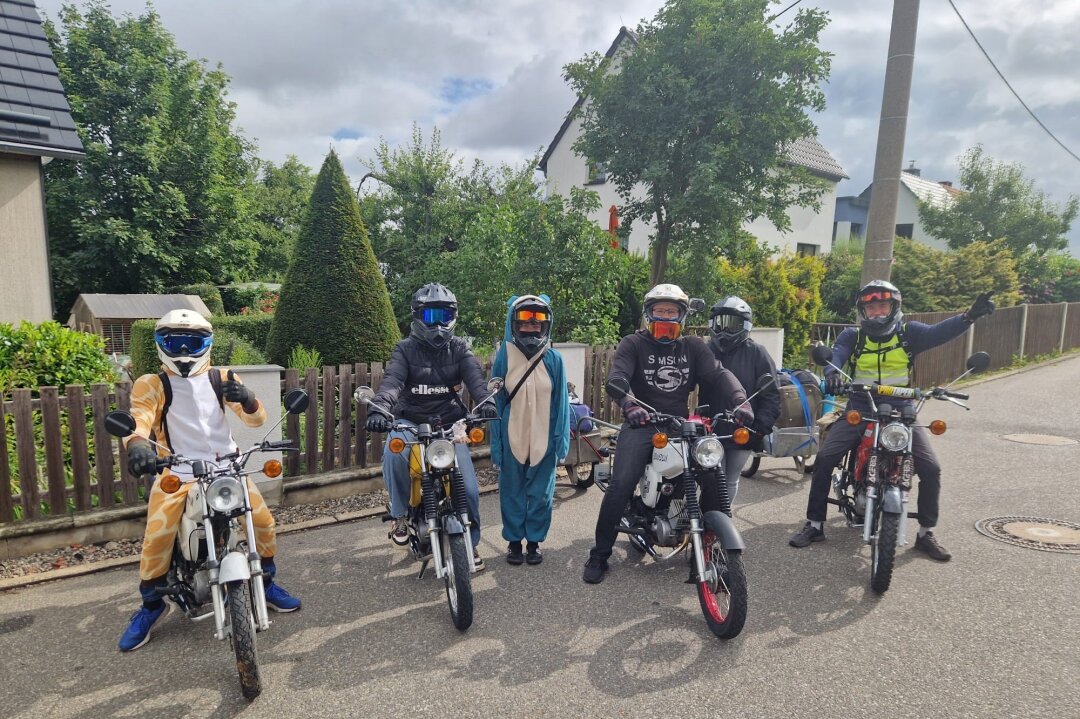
422,383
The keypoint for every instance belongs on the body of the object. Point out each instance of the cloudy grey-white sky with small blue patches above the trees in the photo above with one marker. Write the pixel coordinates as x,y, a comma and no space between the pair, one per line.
310,75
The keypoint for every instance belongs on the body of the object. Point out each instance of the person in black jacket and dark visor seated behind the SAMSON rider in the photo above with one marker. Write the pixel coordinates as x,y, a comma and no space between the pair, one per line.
730,324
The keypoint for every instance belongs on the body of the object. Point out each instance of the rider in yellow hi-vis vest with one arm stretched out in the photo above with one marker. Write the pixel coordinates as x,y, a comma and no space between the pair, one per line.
883,350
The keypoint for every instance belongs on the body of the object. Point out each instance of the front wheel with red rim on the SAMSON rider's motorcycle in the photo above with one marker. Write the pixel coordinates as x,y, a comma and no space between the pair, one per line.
724,598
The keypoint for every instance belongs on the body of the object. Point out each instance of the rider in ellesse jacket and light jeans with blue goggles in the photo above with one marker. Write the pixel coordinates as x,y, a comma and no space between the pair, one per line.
422,383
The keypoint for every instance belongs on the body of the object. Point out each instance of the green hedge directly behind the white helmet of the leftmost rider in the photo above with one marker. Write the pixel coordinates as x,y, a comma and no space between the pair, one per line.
237,341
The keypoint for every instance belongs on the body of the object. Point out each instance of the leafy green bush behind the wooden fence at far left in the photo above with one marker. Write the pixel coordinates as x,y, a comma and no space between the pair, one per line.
50,355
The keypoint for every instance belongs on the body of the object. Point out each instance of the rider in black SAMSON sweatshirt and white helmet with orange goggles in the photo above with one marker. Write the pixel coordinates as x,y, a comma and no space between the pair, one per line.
663,368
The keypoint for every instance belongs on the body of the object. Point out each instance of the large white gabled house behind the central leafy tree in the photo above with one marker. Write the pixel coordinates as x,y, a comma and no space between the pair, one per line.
811,234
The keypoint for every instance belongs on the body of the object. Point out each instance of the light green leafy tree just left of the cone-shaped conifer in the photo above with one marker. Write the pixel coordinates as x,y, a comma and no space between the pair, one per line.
280,197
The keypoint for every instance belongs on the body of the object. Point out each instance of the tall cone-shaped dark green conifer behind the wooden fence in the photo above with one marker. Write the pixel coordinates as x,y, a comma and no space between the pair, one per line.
333,301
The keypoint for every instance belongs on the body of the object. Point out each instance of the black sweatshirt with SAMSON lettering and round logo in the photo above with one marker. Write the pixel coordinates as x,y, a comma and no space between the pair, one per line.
665,375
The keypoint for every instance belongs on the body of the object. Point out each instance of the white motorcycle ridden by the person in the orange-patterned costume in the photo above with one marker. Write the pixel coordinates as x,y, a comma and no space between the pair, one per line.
220,566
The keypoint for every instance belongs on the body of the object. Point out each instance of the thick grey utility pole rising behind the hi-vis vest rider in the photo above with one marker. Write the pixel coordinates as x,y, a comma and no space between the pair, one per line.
882,224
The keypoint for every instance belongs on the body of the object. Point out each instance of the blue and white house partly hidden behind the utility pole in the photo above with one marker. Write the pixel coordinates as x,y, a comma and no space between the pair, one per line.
853,211
